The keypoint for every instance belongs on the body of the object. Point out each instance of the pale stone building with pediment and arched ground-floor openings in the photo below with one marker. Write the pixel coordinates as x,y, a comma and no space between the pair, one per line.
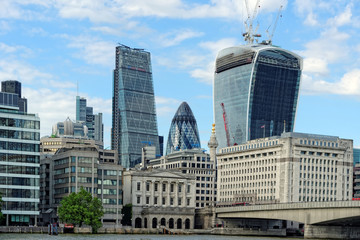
160,198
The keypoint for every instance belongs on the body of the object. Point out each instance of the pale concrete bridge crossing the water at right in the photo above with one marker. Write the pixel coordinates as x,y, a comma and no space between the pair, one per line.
340,219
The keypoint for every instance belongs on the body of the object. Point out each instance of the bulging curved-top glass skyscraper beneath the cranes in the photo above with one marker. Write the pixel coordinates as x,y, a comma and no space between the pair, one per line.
256,89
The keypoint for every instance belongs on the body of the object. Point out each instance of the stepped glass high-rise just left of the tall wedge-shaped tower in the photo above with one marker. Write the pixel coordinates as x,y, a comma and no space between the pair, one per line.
93,122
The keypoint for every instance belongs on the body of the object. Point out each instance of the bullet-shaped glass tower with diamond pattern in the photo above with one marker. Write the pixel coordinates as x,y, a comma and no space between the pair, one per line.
183,132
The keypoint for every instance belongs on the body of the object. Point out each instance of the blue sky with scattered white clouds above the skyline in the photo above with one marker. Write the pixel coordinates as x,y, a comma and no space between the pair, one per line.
50,46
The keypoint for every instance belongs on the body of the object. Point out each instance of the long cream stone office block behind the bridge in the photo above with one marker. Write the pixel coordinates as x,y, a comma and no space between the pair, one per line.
293,167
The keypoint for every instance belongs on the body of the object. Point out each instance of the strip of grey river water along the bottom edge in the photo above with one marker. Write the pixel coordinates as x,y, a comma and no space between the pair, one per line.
12,236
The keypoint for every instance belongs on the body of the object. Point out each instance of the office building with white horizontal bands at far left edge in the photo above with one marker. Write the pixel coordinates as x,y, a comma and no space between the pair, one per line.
20,162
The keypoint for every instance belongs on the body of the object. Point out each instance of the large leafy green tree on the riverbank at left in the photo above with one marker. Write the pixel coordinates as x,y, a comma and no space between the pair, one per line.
81,207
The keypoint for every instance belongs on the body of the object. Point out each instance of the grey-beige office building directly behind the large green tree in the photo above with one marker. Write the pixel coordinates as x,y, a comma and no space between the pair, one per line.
76,165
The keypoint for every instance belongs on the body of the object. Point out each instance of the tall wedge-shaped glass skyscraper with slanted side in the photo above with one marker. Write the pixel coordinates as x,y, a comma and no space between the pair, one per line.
134,123
